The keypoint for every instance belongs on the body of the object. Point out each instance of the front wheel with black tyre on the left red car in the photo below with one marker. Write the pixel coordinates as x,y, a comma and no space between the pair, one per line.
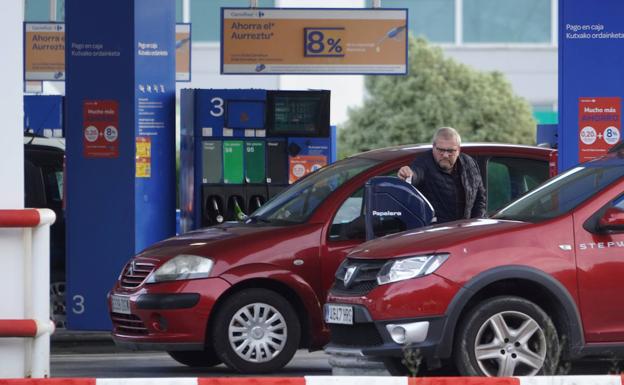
256,331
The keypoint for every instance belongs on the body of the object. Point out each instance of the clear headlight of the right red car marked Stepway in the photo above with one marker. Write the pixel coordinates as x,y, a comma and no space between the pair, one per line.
411,267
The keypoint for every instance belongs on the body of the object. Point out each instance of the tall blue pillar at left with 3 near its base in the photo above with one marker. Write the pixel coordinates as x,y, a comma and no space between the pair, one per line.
120,148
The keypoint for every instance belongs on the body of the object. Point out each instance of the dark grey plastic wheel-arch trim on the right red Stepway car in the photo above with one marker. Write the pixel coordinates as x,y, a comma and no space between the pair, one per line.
548,282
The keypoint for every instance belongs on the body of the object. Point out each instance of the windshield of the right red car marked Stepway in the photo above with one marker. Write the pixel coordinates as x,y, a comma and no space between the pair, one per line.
561,194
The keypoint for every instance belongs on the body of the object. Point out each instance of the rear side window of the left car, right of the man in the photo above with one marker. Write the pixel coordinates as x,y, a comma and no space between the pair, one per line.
509,178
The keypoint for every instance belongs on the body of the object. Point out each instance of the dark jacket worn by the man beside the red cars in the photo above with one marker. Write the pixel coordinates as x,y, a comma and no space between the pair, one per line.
429,179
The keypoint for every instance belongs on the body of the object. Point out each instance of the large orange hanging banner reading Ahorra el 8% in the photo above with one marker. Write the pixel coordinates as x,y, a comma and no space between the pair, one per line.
313,41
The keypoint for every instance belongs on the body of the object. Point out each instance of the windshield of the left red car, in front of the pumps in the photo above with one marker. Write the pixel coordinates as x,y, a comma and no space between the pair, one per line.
298,202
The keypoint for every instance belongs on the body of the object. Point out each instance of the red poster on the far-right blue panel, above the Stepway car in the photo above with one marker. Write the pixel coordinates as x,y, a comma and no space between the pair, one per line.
599,126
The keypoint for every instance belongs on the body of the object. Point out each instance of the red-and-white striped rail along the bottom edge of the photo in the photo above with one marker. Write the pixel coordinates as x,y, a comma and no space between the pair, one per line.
328,380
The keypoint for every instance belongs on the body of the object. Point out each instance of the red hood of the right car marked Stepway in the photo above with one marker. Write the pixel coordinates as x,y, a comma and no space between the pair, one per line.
433,238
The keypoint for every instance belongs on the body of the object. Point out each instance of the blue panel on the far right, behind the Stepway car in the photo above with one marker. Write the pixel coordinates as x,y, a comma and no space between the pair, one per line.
591,85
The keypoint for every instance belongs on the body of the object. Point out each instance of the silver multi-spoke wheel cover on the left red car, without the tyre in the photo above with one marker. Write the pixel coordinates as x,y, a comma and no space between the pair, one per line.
257,332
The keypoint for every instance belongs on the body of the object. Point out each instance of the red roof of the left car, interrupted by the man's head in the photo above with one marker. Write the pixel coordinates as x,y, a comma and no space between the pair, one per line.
395,152
